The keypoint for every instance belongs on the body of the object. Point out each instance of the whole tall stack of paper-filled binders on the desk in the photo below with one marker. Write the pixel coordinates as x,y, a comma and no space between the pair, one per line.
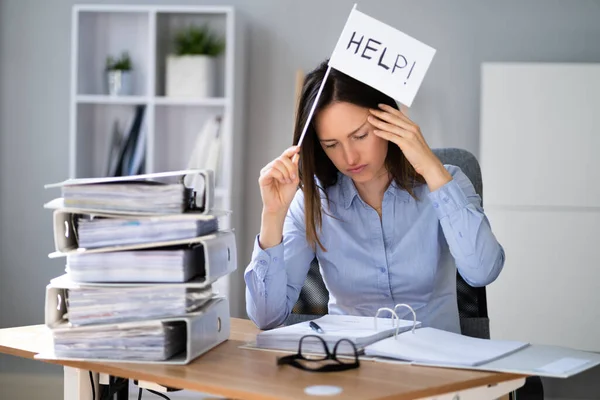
142,253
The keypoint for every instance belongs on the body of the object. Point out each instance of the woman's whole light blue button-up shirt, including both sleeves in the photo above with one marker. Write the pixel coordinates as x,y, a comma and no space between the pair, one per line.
410,255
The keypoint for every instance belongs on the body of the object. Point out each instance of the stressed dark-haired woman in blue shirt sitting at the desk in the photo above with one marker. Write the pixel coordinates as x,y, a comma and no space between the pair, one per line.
386,220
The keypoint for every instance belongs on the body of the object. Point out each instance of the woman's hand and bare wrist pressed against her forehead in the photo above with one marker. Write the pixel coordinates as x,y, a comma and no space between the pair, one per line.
391,124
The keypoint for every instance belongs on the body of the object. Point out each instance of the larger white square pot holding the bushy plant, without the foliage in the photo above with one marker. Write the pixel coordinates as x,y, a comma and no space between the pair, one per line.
190,76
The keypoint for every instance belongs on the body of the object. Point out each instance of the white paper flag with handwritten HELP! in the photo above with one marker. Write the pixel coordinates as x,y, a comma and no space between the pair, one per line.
382,57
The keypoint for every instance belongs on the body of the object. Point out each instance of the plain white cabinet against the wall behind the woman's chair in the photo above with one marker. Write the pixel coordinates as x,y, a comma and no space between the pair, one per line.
540,160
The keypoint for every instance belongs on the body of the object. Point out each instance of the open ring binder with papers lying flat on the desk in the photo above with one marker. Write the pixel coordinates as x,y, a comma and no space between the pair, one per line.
400,341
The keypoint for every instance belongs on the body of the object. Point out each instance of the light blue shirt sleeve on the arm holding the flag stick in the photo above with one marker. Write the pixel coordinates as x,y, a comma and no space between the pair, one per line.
275,276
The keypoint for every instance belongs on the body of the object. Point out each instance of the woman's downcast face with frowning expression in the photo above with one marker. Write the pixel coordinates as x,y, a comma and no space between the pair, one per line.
348,140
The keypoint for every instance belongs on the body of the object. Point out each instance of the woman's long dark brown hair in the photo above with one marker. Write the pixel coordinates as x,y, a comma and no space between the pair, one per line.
339,87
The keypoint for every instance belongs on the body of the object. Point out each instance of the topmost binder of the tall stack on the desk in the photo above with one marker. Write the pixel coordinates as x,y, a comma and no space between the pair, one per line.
145,194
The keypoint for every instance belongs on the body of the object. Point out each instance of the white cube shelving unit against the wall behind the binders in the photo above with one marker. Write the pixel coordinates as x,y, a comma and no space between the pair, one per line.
172,124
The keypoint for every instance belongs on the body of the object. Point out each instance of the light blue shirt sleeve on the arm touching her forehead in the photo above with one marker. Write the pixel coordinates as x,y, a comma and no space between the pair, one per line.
478,255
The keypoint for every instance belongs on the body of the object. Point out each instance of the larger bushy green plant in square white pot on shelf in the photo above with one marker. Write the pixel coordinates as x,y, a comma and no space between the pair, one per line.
191,69
